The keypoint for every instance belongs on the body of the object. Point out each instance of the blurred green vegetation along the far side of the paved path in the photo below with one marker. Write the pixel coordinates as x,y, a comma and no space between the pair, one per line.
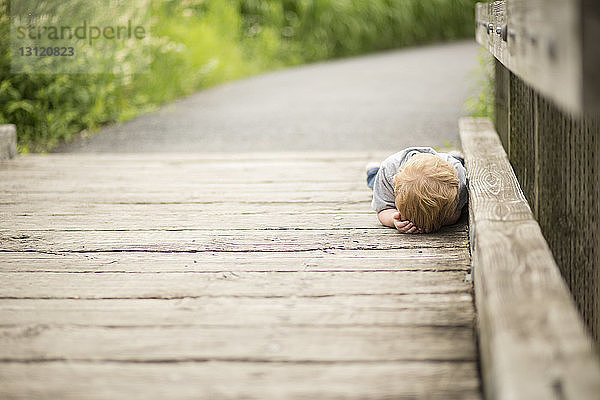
199,43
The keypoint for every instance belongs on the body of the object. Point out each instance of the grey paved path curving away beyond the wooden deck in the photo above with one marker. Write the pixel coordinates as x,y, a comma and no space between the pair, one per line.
384,101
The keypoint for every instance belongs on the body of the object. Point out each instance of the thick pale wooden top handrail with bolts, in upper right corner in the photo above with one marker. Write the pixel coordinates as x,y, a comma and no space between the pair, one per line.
550,44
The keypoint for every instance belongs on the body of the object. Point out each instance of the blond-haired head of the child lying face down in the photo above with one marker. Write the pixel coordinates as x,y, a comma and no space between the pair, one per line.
426,190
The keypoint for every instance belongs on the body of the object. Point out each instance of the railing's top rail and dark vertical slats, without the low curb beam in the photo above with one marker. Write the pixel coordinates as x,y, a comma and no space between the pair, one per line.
548,119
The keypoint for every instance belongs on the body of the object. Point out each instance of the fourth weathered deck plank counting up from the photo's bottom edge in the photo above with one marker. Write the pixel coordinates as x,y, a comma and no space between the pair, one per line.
253,284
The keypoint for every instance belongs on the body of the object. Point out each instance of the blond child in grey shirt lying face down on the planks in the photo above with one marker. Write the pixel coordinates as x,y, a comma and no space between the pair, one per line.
418,190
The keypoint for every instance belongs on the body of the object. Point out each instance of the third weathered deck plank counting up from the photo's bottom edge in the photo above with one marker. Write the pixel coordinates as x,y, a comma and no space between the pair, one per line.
450,309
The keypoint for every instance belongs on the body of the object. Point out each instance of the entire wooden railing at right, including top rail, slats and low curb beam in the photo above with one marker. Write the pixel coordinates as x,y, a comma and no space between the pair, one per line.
534,344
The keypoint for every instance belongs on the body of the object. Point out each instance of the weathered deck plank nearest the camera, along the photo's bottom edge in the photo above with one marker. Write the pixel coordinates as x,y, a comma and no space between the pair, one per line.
235,380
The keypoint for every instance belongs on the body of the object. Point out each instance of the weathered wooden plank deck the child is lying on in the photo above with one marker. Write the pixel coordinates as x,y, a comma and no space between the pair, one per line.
222,276
